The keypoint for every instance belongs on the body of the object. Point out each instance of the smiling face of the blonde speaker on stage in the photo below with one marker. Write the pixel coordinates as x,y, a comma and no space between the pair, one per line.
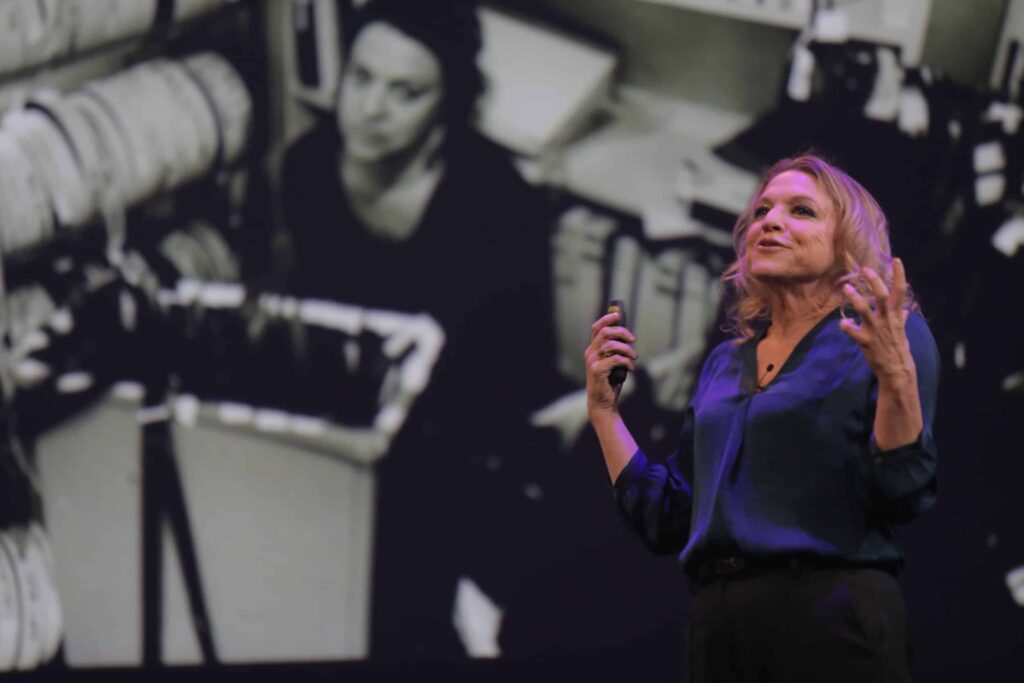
792,237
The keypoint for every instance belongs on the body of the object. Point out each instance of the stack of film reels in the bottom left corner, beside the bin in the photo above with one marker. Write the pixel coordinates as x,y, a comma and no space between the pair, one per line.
31,617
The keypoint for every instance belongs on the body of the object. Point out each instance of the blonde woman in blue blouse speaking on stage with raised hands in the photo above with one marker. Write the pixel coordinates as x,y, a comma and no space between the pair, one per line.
807,439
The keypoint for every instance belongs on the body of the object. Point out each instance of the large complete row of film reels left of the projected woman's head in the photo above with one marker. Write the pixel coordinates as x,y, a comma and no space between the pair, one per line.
68,159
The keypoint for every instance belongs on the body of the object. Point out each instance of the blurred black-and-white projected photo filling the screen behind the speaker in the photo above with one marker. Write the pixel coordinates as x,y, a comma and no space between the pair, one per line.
296,292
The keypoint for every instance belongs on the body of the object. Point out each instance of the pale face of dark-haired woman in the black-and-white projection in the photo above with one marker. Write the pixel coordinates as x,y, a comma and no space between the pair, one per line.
392,94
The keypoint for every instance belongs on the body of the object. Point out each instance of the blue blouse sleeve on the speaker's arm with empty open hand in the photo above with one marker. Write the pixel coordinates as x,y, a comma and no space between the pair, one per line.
905,479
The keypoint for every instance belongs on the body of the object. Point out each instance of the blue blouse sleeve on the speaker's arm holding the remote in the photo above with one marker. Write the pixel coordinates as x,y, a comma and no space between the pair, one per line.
657,499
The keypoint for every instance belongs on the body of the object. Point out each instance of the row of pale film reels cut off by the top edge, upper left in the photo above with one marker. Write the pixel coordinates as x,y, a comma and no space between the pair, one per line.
36,32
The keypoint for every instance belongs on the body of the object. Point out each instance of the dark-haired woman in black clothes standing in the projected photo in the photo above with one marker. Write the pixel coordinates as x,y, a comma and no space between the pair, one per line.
399,204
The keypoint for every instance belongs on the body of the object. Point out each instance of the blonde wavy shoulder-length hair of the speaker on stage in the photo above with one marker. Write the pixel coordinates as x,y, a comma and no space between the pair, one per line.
862,240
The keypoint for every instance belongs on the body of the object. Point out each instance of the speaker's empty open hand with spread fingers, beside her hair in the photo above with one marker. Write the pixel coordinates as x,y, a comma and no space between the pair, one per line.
882,333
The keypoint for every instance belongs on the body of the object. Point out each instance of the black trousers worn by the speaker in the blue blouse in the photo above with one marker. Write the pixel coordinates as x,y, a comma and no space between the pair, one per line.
806,625
